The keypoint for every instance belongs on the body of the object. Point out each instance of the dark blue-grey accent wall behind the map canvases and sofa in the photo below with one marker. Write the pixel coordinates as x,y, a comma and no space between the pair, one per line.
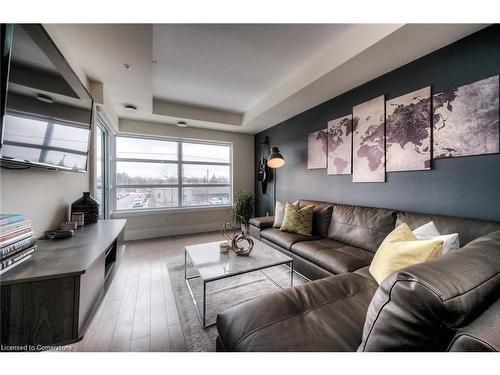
467,186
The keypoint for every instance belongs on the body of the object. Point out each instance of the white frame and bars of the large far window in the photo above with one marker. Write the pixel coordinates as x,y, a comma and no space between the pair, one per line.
180,185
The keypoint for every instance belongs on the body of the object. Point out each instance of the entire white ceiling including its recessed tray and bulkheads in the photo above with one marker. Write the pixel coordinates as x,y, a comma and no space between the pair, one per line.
240,77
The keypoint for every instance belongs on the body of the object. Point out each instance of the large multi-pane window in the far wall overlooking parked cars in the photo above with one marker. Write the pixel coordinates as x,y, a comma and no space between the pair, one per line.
163,173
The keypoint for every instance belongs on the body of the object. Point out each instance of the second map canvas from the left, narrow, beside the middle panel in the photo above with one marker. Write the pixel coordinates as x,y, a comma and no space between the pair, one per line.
340,146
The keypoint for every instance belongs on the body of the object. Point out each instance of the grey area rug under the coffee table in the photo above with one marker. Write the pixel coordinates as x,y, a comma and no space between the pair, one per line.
221,296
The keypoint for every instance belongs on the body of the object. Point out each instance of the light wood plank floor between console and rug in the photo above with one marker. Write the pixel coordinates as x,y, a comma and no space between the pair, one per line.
138,312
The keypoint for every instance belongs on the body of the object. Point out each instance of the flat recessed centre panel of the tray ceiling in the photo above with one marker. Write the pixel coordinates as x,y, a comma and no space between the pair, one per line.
230,67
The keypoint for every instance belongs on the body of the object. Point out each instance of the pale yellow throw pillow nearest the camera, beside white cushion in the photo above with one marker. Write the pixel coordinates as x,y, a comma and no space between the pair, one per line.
401,249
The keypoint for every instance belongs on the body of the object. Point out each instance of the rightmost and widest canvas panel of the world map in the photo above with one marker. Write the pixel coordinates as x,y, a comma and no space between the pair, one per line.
466,120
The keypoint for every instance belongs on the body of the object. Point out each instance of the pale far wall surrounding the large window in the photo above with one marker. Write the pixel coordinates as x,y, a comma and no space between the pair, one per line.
190,220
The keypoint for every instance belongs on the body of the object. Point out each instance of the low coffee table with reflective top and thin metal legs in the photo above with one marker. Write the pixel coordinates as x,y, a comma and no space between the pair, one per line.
212,265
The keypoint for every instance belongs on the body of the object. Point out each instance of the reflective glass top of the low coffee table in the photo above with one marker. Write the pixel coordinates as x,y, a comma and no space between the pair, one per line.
211,264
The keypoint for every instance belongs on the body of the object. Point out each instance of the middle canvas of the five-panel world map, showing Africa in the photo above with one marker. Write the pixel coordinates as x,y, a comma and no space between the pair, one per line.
368,141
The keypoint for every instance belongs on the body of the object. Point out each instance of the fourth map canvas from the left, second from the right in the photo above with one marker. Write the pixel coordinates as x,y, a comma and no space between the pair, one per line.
408,131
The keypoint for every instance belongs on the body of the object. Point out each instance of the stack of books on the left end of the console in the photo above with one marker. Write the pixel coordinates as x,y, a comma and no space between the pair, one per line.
17,243
